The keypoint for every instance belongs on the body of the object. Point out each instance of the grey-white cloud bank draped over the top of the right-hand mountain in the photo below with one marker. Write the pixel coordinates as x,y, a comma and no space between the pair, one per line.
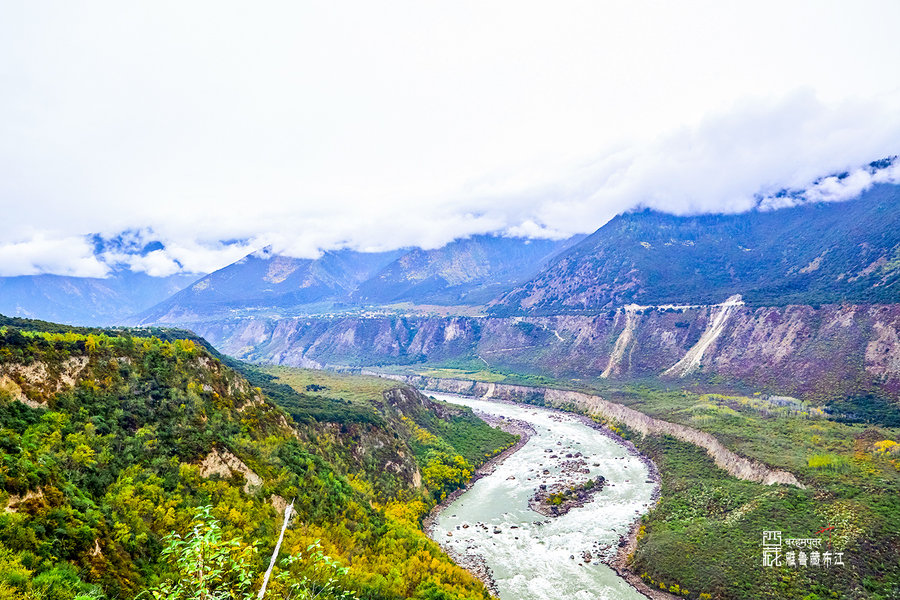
725,164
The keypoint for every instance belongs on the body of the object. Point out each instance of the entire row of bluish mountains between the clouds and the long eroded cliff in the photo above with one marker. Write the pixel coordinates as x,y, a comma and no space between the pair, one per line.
811,254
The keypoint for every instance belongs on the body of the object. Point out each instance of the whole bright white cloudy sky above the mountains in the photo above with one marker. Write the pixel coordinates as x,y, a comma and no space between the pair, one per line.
218,128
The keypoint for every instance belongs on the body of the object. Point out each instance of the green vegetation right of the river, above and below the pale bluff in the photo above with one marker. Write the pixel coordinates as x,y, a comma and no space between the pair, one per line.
704,537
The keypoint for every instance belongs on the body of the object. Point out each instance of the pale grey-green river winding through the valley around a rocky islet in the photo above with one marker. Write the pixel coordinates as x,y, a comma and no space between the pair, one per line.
534,557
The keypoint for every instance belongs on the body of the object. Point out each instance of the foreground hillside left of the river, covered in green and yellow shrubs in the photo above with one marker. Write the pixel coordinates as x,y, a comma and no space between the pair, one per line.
113,439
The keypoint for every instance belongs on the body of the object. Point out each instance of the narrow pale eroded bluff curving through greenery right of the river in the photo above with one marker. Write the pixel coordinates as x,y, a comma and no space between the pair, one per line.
735,464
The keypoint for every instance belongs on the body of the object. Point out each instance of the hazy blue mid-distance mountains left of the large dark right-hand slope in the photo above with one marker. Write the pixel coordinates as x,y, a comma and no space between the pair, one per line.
468,272
